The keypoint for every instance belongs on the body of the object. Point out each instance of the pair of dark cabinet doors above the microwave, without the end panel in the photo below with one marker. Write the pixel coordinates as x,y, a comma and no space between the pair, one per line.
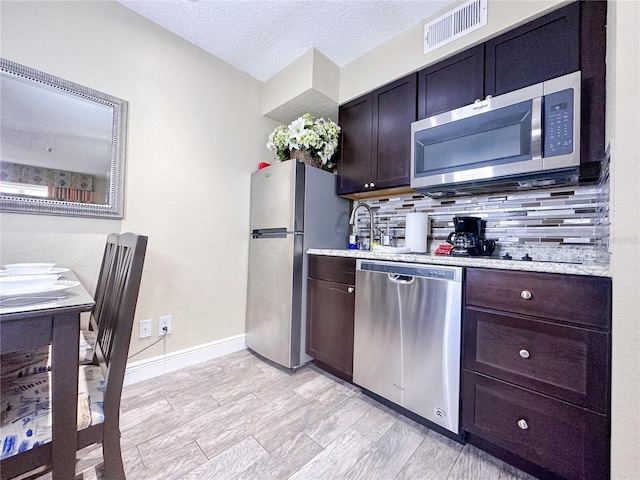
542,49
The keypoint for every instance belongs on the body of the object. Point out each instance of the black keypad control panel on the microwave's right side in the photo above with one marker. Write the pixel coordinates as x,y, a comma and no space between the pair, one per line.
558,123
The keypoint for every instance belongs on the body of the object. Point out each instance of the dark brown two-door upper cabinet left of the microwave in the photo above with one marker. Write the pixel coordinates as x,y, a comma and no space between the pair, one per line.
376,138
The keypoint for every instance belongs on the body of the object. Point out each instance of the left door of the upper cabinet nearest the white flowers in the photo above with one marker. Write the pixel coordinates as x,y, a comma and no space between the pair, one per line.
356,140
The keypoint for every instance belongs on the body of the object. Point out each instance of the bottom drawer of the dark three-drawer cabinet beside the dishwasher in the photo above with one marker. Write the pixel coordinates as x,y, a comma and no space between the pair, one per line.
569,441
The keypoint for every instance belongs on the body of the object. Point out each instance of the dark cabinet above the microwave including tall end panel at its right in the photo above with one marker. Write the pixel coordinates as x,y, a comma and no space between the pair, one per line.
563,41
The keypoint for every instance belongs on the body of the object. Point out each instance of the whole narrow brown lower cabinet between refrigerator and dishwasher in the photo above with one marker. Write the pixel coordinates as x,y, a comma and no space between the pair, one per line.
330,311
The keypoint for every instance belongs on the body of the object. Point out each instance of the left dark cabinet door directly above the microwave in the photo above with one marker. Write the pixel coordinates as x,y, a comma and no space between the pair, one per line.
452,83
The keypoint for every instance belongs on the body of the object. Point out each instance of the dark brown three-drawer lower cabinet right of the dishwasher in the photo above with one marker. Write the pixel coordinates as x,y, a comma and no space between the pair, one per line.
536,380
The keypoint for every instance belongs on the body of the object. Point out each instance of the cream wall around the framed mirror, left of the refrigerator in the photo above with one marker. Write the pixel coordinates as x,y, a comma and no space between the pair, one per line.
195,134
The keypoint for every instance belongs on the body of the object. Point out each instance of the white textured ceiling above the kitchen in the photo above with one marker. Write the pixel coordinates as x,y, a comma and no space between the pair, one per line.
262,37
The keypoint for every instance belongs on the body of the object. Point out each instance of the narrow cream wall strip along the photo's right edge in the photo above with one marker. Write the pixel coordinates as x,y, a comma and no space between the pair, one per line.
623,126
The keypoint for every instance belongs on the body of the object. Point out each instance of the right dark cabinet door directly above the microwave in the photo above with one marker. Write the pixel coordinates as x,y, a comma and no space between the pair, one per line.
537,51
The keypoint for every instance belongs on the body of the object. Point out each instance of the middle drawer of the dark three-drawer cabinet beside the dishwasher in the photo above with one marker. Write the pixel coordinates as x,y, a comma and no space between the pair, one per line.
570,363
